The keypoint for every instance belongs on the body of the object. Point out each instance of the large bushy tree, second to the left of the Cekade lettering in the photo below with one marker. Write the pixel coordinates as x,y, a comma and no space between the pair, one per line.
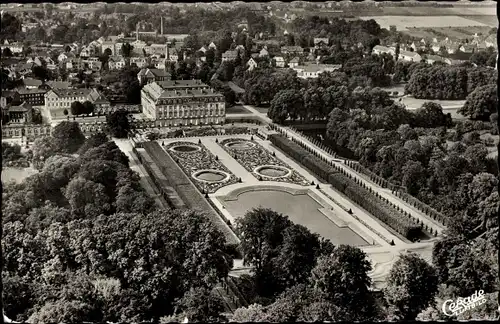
342,279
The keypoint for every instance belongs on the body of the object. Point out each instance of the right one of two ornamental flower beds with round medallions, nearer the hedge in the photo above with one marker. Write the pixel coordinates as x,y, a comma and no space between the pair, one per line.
256,156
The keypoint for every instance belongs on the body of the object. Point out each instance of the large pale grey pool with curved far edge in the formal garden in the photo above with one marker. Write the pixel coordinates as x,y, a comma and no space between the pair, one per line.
301,209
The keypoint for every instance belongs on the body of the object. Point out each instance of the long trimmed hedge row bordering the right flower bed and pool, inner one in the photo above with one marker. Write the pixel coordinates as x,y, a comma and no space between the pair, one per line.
362,196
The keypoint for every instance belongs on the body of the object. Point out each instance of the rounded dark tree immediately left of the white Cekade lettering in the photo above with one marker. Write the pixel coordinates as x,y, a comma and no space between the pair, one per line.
412,286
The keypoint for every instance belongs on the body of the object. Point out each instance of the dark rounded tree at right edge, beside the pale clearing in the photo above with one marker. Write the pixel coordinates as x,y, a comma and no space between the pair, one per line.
481,103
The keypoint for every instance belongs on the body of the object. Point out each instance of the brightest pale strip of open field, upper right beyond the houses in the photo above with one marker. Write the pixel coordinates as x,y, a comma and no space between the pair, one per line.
403,22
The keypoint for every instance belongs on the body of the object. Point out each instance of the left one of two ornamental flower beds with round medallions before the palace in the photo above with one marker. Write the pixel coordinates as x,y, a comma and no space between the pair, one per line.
193,161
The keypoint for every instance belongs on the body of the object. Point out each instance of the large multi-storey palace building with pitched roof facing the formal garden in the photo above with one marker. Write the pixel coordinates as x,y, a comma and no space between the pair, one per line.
182,102
